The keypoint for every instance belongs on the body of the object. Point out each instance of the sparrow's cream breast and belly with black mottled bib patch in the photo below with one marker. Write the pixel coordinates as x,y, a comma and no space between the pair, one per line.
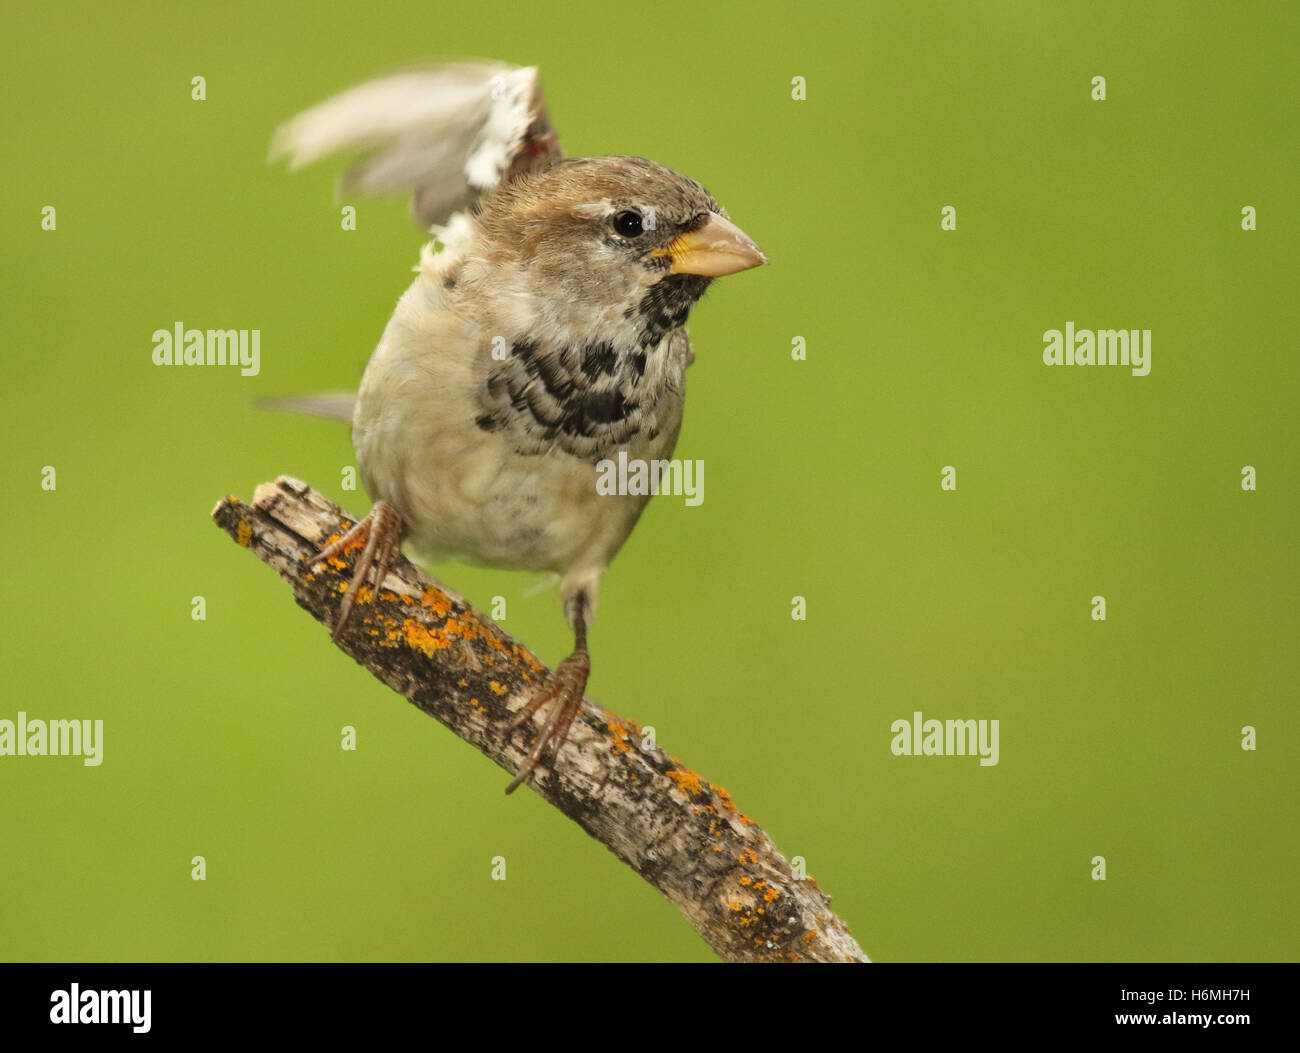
491,449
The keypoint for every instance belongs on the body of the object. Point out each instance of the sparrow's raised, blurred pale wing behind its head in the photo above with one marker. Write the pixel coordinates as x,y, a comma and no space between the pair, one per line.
447,135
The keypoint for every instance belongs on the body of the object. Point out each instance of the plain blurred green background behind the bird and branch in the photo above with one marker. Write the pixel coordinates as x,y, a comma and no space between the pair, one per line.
1120,739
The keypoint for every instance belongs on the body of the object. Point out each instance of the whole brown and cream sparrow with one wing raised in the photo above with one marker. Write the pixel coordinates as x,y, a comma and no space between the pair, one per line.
543,335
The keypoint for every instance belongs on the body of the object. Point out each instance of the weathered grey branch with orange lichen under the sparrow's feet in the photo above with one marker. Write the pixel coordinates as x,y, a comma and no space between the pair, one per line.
671,826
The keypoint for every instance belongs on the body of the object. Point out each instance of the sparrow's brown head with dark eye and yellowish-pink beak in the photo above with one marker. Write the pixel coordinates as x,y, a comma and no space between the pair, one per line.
630,242
